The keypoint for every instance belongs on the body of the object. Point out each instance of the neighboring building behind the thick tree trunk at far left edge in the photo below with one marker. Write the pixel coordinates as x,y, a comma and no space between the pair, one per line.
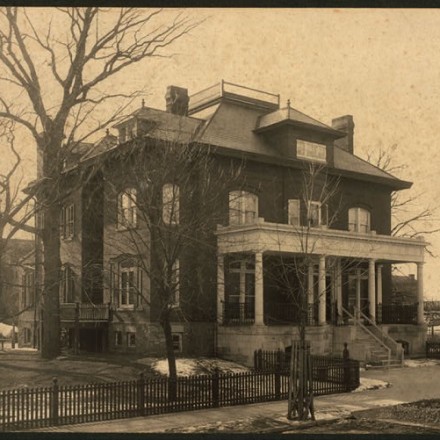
18,292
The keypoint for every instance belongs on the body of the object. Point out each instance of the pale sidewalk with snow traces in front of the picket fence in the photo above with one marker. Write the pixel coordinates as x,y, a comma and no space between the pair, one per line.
407,384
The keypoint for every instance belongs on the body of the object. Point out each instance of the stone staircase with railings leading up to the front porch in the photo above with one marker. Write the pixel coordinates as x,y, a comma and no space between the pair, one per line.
381,351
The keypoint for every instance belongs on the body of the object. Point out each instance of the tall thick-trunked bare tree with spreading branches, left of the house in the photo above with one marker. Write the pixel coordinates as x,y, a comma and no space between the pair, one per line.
59,74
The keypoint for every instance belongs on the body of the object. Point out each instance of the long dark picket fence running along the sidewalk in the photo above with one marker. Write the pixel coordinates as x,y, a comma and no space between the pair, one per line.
57,405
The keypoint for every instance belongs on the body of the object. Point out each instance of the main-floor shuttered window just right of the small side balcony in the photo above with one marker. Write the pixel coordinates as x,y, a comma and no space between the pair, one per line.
126,282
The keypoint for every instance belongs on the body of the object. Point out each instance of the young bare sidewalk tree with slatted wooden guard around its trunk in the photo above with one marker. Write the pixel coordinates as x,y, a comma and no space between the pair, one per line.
319,201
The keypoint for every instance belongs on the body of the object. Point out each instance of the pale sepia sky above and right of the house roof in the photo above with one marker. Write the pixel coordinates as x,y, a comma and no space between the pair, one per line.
380,65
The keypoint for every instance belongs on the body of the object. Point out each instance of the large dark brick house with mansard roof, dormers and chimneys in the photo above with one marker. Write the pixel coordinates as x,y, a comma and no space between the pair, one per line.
266,217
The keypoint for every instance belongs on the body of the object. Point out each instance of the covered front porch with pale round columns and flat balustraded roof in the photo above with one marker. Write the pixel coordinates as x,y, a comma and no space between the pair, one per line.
269,278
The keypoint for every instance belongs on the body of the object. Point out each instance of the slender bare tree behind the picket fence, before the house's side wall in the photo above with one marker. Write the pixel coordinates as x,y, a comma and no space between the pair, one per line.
170,199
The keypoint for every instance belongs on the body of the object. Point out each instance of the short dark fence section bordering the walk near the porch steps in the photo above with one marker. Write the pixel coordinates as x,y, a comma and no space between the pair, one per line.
330,375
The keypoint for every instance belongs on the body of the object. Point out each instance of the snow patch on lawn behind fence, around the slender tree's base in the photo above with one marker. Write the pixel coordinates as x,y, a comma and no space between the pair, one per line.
188,367
